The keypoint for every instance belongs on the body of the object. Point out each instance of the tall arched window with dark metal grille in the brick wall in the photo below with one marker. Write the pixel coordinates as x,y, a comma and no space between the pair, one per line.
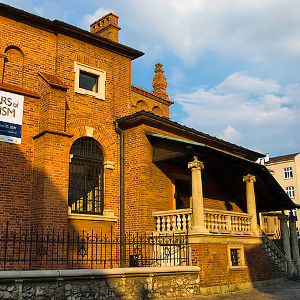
86,177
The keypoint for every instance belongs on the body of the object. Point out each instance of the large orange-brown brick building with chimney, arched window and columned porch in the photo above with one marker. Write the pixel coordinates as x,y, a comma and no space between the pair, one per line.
92,150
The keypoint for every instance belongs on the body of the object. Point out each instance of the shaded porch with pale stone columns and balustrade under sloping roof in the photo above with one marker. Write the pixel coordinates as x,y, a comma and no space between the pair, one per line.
213,177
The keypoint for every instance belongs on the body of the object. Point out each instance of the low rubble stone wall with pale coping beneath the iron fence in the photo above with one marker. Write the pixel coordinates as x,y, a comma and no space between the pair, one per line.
133,283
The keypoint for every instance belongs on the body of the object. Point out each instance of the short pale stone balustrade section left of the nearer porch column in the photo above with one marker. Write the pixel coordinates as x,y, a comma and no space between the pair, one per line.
173,220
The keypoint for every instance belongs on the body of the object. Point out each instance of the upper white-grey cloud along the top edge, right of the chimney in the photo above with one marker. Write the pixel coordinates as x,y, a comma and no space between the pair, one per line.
251,30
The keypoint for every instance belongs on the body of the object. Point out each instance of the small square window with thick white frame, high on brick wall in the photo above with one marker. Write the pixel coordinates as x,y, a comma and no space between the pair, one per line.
89,81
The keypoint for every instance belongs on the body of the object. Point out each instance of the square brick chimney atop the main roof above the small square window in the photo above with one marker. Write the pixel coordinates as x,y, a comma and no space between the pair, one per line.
107,27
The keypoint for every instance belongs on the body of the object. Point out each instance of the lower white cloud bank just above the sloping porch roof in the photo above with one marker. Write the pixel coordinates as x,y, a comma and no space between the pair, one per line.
256,113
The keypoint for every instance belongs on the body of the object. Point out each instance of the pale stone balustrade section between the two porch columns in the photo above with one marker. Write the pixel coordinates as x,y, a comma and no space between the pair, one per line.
219,221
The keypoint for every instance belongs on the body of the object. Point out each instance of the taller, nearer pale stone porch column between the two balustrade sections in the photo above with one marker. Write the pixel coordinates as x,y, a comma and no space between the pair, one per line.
197,195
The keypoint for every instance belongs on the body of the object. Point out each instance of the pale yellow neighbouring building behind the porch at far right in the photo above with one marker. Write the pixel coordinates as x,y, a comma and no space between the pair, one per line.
286,170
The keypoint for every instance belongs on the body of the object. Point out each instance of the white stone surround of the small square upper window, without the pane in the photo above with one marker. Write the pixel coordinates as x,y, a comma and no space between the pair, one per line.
101,80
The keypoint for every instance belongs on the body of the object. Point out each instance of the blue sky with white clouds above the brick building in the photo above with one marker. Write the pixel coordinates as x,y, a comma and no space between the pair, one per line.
232,66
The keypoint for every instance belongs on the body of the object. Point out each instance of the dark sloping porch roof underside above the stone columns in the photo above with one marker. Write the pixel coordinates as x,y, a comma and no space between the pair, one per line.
227,167
